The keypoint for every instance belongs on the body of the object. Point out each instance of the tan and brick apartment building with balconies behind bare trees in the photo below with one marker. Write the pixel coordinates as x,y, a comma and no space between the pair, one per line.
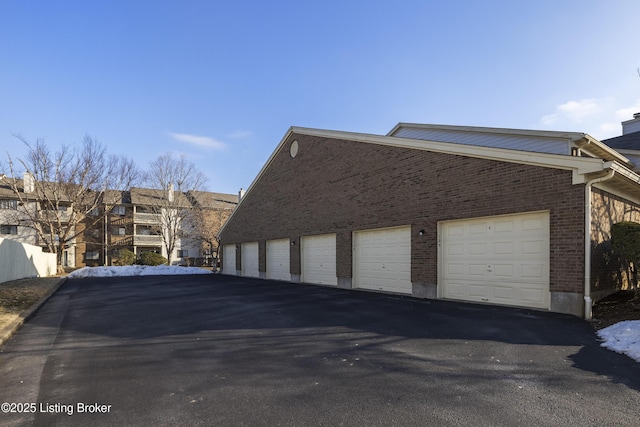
134,223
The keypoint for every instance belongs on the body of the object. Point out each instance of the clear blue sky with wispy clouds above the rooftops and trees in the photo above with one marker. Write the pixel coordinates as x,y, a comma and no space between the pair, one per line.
223,81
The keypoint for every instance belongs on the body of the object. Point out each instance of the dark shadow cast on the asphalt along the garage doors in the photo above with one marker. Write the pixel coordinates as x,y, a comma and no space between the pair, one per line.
268,313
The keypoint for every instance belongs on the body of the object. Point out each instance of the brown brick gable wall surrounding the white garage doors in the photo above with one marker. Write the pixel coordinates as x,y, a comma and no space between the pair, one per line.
336,186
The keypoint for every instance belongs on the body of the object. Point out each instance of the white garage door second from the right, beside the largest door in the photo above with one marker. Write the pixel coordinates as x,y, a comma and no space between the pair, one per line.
382,259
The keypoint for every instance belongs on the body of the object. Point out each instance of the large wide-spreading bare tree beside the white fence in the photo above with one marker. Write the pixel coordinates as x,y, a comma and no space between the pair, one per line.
61,190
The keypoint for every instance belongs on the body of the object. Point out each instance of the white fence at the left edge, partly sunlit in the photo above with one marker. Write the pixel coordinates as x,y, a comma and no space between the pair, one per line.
19,260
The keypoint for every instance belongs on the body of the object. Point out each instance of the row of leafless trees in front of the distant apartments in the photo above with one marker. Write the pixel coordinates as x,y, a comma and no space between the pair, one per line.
68,186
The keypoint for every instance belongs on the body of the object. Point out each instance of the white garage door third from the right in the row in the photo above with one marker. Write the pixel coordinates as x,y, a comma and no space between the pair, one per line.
319,259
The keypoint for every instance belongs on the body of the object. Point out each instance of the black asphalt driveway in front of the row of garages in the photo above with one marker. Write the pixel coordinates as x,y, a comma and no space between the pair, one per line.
219,350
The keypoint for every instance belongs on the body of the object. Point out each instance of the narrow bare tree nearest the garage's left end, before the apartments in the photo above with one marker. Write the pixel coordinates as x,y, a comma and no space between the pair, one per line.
170,178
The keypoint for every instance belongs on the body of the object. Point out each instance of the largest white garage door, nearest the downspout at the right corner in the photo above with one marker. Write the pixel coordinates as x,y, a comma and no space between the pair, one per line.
502,259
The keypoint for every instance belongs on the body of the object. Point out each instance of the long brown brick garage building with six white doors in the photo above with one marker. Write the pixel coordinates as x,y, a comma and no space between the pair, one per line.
477,214
